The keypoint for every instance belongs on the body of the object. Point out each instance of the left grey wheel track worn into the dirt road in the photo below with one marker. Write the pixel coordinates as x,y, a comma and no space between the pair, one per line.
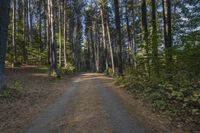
46,120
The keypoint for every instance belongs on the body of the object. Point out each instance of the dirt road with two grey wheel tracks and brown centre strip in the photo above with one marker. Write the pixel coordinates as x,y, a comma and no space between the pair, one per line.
90,105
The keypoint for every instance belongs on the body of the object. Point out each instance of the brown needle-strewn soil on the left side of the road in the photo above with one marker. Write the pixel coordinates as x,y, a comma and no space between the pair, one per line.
39,90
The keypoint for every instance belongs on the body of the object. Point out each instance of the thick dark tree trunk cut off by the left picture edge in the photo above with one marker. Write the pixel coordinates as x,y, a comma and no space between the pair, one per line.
4,16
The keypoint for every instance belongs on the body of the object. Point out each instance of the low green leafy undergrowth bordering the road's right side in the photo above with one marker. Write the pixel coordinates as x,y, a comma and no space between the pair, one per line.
178,97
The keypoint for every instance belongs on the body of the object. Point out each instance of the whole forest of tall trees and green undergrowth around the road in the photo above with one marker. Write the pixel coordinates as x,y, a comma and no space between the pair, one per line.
150,47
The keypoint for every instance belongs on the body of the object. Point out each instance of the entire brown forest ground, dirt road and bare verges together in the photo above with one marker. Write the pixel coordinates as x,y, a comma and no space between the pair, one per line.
85,102
